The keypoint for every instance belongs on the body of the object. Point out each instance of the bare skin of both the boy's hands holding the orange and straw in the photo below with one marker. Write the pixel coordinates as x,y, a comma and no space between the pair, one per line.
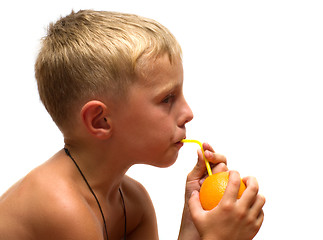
232,219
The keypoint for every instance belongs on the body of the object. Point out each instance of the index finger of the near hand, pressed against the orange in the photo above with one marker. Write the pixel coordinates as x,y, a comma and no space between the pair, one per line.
231,192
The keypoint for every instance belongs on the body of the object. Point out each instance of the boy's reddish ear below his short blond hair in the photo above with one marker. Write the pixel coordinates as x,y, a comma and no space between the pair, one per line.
96,119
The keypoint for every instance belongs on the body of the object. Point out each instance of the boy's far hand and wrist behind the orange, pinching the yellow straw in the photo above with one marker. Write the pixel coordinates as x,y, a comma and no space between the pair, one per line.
194,181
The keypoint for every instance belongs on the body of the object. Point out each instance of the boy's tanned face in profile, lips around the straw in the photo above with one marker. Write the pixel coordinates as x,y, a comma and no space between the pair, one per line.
151,123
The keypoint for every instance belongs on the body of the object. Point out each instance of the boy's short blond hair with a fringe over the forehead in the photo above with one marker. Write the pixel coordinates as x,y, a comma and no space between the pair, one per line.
94,53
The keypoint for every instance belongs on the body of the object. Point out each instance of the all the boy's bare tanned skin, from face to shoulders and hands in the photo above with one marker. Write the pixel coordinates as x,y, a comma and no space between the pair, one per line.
107,138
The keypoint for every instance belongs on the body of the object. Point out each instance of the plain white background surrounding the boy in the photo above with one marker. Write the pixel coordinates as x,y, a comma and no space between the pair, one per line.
253,73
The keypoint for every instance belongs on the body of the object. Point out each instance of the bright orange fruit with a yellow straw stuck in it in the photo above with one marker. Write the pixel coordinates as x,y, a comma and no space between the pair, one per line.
213,188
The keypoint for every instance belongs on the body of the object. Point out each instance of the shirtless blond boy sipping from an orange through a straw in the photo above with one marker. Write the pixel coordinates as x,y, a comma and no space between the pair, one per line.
113,83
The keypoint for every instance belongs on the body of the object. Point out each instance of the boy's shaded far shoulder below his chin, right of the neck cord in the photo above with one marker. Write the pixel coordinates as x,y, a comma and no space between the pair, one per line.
141,214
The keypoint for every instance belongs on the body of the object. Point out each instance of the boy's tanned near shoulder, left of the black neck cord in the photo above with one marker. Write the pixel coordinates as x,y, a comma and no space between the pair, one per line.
44,206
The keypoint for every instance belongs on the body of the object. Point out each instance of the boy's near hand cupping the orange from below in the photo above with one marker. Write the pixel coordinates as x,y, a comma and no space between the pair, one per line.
232,219
